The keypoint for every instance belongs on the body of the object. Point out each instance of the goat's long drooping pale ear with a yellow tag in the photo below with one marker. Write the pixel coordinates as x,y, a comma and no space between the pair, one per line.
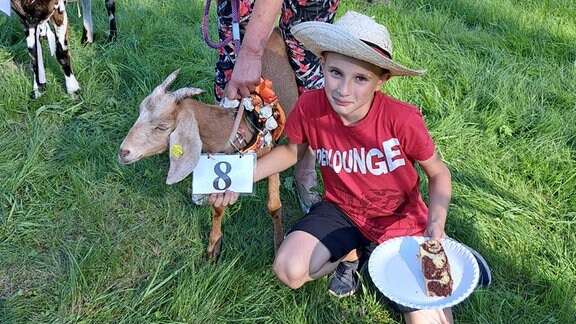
185,147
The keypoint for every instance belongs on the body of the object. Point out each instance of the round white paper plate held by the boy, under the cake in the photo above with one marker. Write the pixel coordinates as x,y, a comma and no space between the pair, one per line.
396,271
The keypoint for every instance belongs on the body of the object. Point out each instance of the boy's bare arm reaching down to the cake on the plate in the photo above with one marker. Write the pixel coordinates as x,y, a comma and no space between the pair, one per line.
439,194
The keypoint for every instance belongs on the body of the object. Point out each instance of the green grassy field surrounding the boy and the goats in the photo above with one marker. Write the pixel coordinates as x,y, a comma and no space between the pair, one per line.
84,239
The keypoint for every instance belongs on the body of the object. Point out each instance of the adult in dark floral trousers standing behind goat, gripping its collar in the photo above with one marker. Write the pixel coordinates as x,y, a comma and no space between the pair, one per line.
238,73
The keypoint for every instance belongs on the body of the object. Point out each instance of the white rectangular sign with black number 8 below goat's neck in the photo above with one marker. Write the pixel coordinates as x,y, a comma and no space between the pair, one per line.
220,172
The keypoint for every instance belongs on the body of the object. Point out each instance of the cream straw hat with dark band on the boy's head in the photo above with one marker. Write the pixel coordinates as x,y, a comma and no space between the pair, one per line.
355,35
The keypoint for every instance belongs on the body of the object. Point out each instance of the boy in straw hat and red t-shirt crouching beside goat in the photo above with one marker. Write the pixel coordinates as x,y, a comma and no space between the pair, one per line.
367,144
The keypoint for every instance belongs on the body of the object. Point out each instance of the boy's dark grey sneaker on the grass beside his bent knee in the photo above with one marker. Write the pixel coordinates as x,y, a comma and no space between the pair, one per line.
344,281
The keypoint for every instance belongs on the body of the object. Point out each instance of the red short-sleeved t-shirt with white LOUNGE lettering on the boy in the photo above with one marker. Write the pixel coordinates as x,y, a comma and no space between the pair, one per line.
368,168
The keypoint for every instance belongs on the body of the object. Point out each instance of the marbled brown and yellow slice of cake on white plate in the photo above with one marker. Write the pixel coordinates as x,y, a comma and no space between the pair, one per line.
436,269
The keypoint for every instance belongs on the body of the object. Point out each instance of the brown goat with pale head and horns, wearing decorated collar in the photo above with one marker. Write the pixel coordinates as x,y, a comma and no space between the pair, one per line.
171,118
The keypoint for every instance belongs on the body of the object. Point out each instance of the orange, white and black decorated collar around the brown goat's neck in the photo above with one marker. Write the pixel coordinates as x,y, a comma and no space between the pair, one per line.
268,118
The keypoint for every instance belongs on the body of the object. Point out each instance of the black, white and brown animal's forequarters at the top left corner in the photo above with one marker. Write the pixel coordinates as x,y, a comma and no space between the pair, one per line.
34,15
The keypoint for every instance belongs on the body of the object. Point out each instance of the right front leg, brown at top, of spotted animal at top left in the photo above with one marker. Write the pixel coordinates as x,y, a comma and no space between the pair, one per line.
60,22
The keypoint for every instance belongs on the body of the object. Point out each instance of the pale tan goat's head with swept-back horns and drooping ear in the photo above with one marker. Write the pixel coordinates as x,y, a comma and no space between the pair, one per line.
162,124
